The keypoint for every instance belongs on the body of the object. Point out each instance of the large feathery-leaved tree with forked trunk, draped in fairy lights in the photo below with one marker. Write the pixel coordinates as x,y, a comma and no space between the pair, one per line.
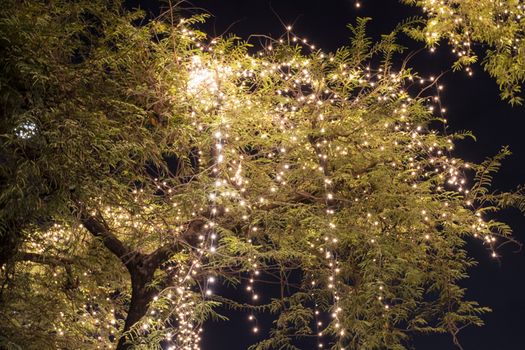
142,163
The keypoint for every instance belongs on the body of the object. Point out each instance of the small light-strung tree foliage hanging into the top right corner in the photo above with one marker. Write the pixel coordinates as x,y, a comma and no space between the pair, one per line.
498,27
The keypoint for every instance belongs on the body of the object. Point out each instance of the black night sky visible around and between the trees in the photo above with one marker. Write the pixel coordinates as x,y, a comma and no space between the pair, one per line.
472,103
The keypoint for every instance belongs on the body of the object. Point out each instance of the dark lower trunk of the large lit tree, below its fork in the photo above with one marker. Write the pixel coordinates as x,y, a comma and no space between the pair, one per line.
141,295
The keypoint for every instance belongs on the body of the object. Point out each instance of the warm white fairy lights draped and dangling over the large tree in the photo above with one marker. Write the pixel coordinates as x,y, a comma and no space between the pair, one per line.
177,320
